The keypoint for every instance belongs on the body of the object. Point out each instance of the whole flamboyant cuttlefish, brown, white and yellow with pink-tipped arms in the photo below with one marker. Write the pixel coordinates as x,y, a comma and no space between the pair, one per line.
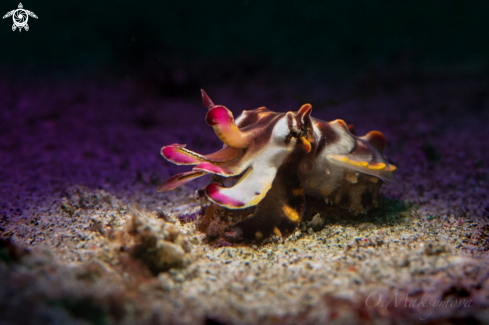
277,159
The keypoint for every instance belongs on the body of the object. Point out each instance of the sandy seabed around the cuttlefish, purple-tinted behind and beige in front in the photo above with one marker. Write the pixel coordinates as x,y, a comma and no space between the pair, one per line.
79,167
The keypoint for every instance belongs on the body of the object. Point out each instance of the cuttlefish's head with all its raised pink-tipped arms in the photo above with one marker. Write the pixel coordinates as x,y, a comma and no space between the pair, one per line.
256,144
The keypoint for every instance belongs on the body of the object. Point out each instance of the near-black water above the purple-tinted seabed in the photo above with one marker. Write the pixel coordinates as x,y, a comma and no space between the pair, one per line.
195,41
